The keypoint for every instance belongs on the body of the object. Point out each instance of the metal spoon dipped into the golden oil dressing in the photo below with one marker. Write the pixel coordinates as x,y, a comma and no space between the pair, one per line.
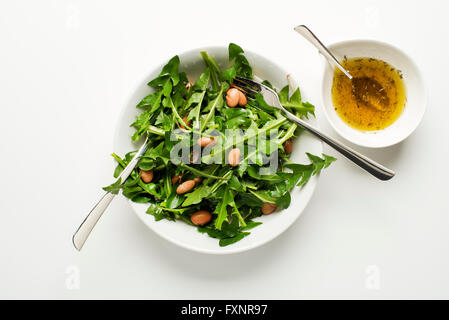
367,91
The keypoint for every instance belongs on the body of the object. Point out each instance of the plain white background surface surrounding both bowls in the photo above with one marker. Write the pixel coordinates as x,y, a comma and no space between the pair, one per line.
66,71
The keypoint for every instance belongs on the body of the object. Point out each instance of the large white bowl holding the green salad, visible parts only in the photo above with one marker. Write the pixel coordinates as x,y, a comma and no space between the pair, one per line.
185,235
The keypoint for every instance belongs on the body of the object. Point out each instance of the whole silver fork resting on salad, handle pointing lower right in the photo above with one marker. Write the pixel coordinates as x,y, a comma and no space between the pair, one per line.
252,87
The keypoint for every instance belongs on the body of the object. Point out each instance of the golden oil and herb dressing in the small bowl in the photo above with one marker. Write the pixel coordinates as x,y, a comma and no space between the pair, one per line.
373,99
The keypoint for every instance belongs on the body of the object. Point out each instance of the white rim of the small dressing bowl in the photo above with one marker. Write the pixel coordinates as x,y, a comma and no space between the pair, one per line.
418,72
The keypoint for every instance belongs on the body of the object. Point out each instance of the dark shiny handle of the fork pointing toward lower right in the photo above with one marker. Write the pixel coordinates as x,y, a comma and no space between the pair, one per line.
362,161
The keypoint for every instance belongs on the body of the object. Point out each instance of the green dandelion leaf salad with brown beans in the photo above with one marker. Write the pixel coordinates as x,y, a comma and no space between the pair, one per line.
217,156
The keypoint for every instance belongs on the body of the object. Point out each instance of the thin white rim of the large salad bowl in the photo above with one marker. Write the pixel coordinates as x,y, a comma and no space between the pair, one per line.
311,183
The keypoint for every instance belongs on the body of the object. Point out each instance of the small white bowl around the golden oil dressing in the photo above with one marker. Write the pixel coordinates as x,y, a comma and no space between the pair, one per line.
415,93
